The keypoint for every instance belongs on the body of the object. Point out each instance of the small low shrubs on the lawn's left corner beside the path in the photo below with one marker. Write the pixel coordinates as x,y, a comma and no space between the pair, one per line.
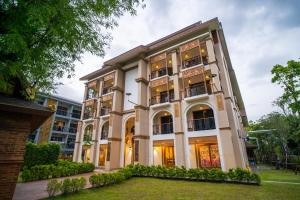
66,186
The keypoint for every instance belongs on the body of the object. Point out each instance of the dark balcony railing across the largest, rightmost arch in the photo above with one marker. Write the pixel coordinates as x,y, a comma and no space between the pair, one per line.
201,124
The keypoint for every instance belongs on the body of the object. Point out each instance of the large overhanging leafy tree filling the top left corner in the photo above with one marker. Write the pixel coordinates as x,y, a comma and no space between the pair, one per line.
41,39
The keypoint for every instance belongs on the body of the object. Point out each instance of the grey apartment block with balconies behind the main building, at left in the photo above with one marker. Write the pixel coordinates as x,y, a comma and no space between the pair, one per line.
62,126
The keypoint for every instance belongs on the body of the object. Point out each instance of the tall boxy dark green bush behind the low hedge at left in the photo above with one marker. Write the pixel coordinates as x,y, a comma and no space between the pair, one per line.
40,154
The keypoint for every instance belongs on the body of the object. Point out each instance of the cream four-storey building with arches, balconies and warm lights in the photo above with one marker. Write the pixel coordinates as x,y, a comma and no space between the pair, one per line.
173,102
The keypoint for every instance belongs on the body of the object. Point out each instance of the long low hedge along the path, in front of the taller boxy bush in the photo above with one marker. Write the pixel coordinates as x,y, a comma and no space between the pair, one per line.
59,169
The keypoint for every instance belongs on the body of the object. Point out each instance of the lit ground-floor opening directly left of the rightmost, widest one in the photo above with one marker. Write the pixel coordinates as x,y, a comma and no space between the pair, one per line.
163,153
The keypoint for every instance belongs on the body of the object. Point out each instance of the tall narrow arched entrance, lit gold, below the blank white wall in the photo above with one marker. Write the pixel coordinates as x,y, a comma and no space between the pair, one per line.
129,141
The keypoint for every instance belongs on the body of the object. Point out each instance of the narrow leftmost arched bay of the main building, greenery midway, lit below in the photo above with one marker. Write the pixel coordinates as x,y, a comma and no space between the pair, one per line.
86,146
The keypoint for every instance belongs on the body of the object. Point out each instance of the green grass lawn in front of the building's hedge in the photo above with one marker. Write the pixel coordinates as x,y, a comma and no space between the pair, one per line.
151,188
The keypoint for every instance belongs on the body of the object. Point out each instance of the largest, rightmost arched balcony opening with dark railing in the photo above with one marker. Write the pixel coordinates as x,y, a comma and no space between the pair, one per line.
200,117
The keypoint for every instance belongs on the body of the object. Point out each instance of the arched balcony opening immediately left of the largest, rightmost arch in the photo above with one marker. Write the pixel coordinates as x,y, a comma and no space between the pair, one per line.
163,123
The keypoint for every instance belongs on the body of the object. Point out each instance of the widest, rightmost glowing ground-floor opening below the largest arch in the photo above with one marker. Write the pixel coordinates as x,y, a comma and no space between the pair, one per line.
204,152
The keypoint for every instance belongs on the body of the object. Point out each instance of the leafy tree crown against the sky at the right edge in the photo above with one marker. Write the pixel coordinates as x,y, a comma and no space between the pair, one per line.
288,77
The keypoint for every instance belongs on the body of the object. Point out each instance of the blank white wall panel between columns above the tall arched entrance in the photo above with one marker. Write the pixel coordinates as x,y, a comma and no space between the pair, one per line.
131,87
